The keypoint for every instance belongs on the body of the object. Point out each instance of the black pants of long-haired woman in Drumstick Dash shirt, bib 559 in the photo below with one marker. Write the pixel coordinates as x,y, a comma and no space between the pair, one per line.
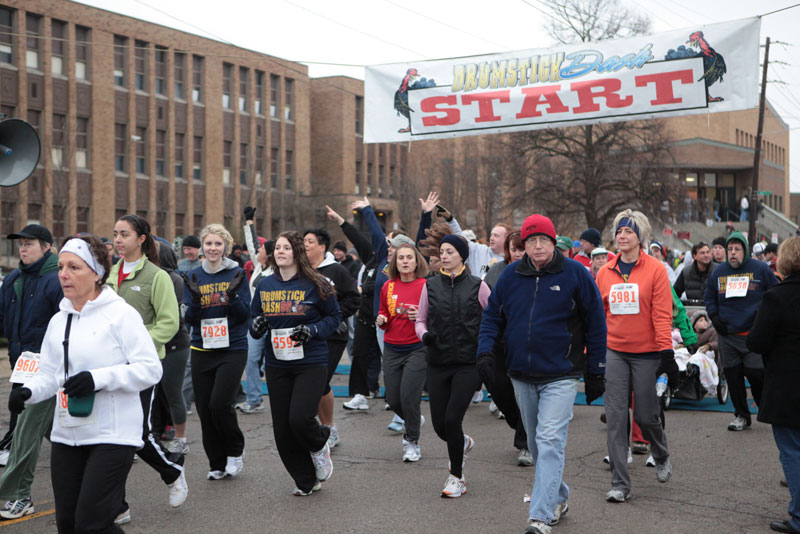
294,395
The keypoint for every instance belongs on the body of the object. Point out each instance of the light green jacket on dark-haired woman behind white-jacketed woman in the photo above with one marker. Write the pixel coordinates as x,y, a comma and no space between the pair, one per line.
151,292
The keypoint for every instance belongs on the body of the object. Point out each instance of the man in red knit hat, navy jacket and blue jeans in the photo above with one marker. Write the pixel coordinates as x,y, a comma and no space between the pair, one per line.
552,311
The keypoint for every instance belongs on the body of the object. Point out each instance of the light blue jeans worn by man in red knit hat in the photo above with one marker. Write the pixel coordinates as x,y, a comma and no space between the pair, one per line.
546,410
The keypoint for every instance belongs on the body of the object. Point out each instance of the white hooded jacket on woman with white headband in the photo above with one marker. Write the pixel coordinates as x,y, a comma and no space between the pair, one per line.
109,339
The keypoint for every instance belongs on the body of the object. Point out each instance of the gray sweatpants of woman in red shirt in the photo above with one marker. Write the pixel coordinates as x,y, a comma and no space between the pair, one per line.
404,376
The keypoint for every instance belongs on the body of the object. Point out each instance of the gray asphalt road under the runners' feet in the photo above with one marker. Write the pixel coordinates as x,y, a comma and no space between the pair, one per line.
722,482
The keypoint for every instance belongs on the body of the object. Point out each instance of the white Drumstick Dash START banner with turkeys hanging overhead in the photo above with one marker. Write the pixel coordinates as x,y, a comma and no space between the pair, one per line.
704,69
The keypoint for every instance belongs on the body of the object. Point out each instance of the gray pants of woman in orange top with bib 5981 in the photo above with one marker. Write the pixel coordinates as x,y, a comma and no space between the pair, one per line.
625,371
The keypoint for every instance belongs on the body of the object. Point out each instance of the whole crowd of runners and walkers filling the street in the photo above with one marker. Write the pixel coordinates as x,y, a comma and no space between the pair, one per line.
114,341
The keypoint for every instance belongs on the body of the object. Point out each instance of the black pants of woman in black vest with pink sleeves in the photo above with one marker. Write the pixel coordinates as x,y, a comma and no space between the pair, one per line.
450,389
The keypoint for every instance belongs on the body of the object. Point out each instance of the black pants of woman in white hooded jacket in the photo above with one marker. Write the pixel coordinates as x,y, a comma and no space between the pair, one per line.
88,486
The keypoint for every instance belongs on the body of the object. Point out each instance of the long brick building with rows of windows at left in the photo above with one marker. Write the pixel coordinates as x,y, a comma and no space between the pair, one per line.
139,118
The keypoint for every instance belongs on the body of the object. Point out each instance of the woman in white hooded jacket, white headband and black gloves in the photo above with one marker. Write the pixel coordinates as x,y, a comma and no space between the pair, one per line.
91,454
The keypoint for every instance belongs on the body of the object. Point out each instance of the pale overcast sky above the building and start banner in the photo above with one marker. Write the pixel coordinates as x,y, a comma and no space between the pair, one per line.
350,34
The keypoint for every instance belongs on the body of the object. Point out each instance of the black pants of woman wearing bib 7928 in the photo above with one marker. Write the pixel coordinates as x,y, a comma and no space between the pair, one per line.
217,377
